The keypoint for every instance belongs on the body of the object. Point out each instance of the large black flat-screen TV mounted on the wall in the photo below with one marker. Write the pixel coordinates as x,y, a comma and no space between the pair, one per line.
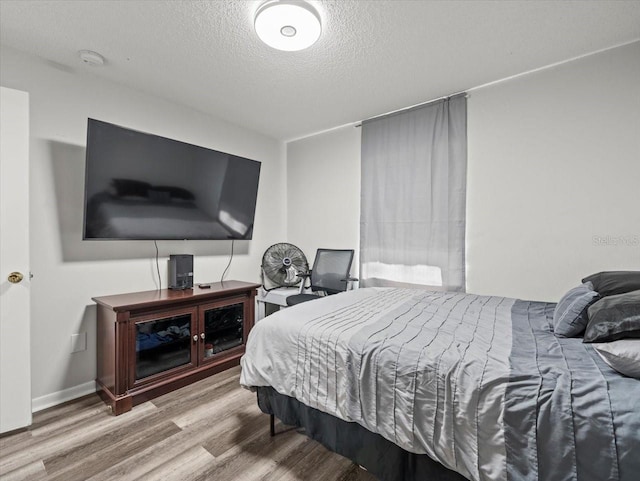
143,186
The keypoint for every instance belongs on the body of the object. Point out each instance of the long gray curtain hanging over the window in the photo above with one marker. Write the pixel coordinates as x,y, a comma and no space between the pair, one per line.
412,222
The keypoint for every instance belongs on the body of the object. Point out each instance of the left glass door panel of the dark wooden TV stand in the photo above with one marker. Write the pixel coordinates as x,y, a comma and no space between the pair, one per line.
162,344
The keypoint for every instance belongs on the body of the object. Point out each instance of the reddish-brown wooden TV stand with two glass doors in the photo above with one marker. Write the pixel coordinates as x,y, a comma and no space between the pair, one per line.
150,343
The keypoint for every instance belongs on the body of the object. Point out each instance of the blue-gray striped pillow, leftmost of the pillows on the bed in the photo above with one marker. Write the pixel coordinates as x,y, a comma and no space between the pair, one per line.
570,317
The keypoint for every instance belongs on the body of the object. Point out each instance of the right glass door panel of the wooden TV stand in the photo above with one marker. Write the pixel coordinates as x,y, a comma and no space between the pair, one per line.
223,328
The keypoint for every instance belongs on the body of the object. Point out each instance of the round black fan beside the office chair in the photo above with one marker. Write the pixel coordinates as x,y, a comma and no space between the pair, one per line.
281,264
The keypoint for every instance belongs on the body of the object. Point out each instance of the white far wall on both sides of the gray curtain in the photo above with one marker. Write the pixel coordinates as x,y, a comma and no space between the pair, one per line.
553,184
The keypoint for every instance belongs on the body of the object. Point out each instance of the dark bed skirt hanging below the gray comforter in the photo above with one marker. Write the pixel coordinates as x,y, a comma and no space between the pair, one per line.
380,457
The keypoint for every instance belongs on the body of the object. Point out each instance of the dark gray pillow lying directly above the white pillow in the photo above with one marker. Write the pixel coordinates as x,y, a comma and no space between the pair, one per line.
614,317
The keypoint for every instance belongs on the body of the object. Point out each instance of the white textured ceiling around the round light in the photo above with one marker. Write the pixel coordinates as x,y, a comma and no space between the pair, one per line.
373,56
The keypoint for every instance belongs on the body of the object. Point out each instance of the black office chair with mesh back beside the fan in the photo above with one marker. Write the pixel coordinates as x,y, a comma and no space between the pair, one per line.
329,275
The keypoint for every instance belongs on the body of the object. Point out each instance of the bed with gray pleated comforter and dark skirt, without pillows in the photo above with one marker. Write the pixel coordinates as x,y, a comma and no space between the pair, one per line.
416,384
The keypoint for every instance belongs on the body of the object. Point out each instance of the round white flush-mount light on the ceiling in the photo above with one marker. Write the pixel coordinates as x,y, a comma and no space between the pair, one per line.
288,25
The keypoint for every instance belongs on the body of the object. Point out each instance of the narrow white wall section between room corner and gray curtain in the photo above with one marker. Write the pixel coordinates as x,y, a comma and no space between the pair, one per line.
323,192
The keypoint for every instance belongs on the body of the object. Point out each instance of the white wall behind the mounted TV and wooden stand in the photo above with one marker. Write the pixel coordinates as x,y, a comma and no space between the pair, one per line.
68,272
